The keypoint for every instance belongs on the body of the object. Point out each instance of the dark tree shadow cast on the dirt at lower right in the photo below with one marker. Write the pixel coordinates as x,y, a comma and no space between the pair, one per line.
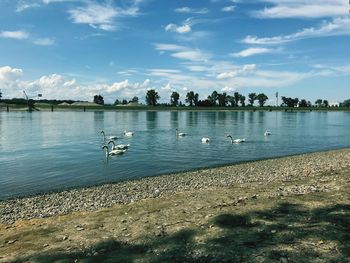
284,233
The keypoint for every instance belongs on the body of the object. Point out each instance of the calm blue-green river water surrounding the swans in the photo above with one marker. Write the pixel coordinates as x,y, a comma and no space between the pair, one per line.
45,151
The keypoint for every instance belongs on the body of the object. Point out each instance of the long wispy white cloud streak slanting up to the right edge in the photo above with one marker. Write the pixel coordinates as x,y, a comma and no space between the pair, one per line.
339,26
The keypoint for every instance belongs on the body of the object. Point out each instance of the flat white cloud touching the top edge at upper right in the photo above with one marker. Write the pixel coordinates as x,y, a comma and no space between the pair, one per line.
303,8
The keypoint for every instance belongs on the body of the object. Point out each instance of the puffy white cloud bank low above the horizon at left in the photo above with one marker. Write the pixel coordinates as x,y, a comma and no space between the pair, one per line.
56,86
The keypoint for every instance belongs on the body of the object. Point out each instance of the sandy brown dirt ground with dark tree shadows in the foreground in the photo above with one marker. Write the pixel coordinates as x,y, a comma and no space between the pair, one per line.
306,220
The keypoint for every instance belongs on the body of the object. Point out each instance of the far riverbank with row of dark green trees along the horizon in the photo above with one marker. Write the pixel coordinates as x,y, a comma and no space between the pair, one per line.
215,101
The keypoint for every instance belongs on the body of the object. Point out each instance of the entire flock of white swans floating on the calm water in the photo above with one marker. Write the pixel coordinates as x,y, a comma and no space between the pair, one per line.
117,149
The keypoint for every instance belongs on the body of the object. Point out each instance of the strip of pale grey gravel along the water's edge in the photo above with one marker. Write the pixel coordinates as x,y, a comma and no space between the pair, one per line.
93,198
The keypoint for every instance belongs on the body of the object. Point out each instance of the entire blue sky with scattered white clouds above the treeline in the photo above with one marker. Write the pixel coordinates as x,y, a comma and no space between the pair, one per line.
75,49
